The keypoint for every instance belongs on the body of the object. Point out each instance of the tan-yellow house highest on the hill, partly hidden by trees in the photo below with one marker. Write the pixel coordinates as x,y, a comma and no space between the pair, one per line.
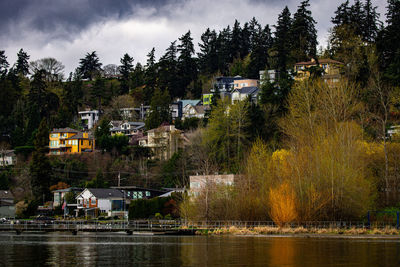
331,69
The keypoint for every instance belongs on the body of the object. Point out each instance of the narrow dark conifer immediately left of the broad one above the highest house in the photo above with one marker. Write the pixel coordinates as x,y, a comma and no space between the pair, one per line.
281,44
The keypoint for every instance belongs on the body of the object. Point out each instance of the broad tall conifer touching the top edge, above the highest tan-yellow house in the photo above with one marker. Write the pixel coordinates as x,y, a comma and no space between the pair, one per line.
303,34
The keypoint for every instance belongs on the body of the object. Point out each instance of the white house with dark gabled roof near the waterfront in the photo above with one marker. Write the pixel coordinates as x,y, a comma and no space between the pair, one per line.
101,200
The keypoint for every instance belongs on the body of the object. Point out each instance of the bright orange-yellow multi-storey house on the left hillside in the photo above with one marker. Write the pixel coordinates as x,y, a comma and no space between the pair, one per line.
67,141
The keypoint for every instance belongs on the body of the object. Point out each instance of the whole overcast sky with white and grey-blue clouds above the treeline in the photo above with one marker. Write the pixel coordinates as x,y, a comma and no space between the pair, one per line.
68,29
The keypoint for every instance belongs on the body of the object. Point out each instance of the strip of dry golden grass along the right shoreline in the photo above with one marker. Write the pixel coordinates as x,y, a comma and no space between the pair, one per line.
266,230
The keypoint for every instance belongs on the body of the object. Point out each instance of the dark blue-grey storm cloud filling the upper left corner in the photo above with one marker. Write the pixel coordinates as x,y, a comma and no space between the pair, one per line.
69,16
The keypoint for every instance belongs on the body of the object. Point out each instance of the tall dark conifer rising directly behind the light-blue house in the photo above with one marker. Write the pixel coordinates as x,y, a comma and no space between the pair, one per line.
186,64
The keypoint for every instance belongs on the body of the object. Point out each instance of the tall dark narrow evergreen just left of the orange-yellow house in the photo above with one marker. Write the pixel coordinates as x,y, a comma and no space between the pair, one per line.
40,168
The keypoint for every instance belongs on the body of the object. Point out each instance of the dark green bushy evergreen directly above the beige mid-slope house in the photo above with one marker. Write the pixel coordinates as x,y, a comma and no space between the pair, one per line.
159,110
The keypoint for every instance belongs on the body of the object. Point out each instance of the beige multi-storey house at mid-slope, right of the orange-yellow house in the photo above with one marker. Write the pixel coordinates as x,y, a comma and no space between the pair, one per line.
164,141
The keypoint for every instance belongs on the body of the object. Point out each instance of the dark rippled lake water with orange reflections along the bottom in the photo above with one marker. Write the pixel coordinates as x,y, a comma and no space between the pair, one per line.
90,249
